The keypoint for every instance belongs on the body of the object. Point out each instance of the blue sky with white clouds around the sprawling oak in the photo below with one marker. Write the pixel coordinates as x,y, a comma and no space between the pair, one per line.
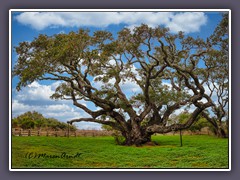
28,25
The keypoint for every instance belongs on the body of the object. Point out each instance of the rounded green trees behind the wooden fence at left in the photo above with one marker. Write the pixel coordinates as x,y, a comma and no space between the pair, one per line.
35,120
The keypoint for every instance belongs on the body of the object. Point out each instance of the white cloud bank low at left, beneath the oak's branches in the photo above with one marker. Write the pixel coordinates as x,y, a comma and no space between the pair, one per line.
36,97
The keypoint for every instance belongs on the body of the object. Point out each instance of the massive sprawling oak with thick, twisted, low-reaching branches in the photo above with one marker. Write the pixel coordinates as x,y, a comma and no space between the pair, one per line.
165,67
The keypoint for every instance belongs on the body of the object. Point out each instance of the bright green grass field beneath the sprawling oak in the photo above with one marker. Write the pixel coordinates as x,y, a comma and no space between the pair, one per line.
101,152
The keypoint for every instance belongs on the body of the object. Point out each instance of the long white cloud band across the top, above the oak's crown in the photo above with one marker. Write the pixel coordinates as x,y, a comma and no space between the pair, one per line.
185,21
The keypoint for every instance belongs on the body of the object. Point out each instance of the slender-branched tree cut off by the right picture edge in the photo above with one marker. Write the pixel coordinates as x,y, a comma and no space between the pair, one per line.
217,75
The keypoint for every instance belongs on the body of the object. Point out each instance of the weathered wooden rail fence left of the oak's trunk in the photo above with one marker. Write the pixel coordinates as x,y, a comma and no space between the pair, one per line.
60,133
